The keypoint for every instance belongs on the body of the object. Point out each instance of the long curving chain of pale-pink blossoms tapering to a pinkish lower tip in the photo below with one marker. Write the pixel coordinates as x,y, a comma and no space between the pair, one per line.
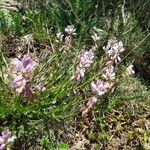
101,86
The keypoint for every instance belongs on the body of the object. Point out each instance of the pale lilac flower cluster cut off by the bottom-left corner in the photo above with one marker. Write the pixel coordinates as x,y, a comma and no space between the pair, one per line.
6,140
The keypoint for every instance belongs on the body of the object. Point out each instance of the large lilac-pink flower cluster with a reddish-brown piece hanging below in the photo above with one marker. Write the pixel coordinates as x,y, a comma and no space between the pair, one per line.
24,67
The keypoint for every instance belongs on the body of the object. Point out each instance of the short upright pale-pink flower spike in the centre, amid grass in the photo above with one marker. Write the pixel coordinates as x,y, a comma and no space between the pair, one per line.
86,59
